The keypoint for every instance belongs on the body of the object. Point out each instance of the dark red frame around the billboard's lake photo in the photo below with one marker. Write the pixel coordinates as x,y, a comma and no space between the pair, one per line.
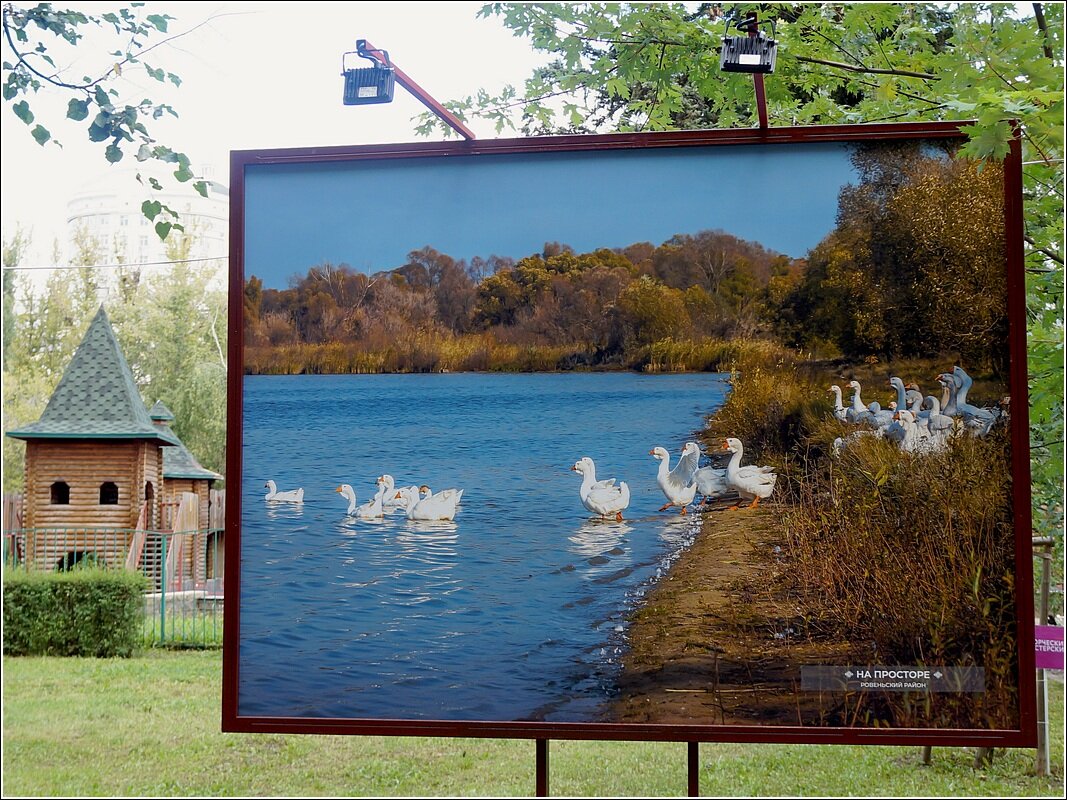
1025,737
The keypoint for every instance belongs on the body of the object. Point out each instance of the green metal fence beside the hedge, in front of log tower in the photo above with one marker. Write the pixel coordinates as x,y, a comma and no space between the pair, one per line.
184,604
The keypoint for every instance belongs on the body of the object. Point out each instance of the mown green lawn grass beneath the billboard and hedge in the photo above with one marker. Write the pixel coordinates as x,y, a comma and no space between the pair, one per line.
149,726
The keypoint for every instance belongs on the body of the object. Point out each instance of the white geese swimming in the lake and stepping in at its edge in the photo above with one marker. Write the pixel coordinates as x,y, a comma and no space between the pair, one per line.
607,499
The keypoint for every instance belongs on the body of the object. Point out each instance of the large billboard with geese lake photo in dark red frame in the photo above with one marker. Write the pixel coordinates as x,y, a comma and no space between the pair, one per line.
713,436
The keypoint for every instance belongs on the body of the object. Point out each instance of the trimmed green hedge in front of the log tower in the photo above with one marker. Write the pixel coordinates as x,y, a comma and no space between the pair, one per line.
82,613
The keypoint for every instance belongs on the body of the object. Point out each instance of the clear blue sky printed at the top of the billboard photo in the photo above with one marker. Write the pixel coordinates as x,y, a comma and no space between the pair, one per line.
371,215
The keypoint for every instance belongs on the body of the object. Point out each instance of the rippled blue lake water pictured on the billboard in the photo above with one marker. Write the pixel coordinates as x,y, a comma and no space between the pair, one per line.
515,612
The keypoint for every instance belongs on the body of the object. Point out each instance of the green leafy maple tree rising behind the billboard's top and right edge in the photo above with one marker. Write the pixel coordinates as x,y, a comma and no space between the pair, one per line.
635,67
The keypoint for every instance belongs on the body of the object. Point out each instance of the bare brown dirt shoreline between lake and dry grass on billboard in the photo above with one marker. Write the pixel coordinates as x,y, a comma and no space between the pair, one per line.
715,643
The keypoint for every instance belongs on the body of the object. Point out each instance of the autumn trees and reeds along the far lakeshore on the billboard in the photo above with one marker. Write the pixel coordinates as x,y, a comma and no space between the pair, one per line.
914,268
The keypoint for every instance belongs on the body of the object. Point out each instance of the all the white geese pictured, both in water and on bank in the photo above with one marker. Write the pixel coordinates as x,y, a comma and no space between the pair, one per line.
917,424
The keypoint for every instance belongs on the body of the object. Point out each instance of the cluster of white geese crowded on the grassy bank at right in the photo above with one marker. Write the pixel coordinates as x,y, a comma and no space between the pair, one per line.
917,424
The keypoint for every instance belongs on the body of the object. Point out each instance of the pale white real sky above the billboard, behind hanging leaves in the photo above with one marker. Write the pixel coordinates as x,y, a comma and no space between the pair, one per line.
259,76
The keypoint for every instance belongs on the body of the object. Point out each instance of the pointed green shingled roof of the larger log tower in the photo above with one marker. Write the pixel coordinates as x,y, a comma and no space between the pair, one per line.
97,398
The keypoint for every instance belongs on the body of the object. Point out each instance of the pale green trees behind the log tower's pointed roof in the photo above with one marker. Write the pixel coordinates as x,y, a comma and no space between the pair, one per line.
170,324
